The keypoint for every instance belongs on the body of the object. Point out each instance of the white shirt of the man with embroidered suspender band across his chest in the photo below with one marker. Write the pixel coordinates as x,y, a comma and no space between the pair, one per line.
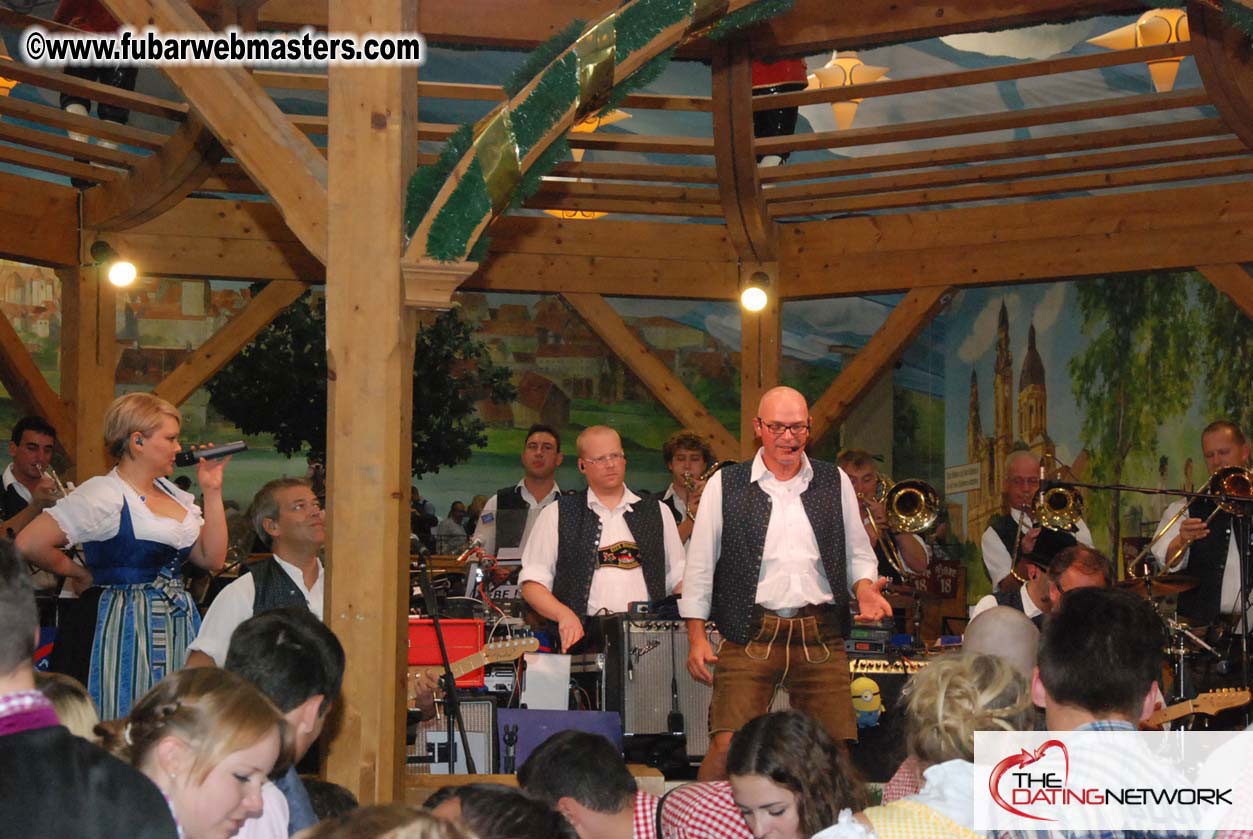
612,589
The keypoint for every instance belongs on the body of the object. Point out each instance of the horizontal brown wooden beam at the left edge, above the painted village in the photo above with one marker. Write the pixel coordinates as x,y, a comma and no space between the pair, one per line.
41,222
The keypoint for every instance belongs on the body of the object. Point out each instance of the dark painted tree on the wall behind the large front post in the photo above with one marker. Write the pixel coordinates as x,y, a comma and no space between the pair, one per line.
278,386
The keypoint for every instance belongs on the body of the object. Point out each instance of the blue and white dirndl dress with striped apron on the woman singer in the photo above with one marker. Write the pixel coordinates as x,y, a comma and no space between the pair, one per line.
140,617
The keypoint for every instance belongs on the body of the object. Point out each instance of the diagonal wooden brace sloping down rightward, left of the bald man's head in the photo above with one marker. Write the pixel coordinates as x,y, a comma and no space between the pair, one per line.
656,376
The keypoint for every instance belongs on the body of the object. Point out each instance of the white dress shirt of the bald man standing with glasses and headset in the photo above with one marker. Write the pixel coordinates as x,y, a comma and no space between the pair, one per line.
791,573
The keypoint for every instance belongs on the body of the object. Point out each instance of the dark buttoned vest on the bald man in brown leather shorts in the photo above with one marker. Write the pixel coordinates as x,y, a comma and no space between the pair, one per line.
746,514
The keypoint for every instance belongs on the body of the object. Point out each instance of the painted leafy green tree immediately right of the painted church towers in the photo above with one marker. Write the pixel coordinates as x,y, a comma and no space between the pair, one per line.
1133,375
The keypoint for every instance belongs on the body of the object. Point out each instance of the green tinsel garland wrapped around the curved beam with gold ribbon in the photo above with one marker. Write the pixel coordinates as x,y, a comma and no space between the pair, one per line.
636,27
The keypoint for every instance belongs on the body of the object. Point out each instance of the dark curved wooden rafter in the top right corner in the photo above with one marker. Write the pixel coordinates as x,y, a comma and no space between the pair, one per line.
1225,58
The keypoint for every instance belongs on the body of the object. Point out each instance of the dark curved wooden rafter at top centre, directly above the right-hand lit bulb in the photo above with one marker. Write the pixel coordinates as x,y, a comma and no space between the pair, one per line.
751,231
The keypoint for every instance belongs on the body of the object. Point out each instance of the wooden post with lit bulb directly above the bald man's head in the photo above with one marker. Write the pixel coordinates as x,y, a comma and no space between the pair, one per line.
761,354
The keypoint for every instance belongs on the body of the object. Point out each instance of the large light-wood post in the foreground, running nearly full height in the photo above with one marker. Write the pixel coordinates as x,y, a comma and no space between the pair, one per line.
370,366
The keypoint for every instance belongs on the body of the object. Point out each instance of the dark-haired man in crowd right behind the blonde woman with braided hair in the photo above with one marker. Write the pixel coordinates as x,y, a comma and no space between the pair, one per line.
293,658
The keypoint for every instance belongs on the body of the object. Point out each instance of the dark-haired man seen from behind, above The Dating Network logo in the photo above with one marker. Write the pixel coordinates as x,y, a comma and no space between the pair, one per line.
1101,659
